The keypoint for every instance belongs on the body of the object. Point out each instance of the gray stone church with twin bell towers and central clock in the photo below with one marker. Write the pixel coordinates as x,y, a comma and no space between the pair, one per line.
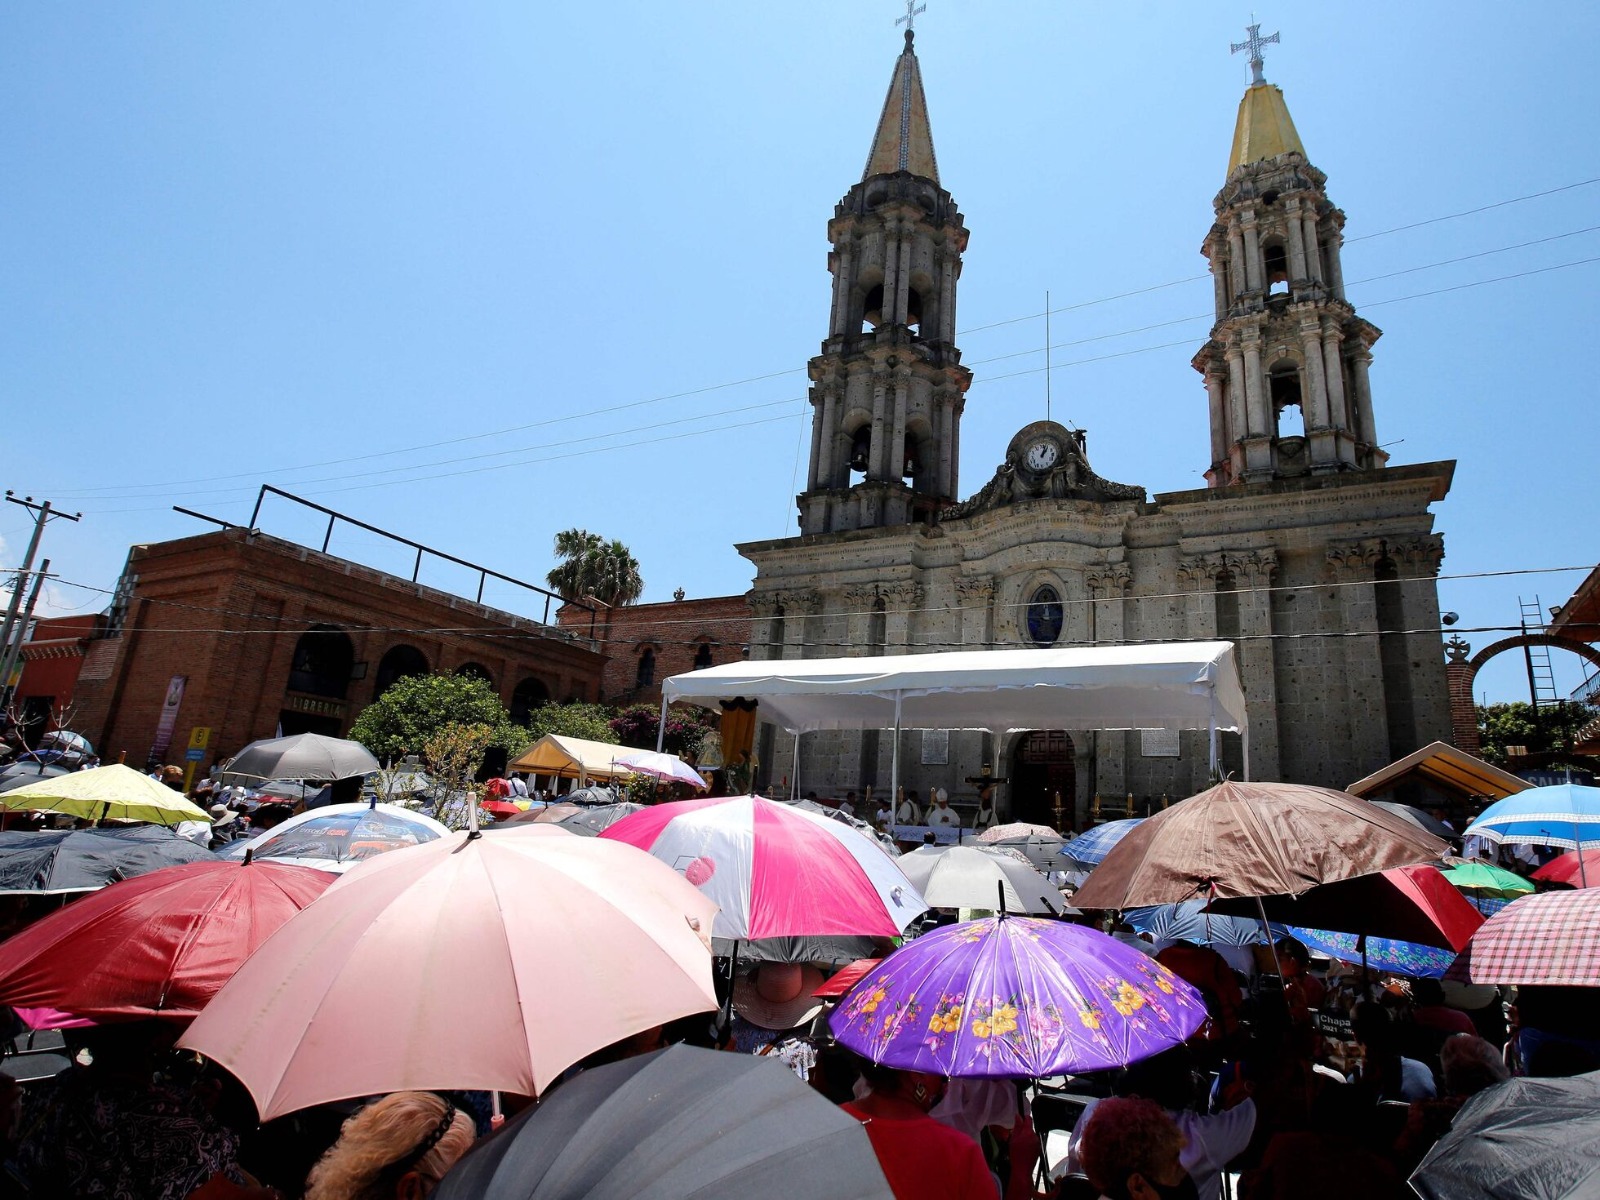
1308,550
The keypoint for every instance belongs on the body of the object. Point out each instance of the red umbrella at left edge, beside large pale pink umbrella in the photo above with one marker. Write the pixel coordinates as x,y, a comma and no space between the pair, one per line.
159,945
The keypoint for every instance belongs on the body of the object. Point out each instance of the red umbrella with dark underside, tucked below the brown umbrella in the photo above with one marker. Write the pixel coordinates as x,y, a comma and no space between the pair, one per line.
1410,905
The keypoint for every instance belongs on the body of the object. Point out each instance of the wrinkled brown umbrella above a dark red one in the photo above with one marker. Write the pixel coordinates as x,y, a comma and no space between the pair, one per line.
1254,841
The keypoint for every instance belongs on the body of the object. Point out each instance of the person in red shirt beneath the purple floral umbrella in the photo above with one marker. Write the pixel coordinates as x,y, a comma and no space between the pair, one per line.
921,1158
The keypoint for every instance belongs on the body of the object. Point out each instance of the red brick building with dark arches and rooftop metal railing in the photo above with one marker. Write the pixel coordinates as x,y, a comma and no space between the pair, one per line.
246,634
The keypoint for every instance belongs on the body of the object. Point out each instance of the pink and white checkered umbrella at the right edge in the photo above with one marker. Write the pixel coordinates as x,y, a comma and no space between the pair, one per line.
1553,938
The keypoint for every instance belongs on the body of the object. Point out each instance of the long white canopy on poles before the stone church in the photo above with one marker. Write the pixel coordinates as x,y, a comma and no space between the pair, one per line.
1151,687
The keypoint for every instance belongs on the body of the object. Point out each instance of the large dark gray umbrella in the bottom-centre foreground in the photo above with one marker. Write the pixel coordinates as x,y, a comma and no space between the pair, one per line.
676,1124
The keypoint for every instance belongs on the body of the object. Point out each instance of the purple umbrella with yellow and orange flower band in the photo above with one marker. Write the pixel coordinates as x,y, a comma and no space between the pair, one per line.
1015,998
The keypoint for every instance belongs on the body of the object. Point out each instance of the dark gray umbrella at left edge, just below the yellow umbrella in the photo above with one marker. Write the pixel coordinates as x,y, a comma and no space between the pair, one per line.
84,860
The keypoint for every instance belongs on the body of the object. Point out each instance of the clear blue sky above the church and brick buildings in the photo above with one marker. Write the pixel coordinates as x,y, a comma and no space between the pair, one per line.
479,273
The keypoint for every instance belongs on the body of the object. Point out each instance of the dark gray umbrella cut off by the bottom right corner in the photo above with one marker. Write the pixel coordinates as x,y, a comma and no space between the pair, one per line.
1522,1140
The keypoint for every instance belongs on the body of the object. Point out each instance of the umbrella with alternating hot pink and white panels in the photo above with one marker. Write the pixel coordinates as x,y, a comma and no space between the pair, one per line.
777,871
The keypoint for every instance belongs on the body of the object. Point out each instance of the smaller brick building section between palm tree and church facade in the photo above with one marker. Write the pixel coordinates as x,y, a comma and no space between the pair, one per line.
646,644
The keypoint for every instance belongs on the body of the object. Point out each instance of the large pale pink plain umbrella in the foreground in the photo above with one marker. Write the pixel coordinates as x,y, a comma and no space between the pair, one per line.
470,962
